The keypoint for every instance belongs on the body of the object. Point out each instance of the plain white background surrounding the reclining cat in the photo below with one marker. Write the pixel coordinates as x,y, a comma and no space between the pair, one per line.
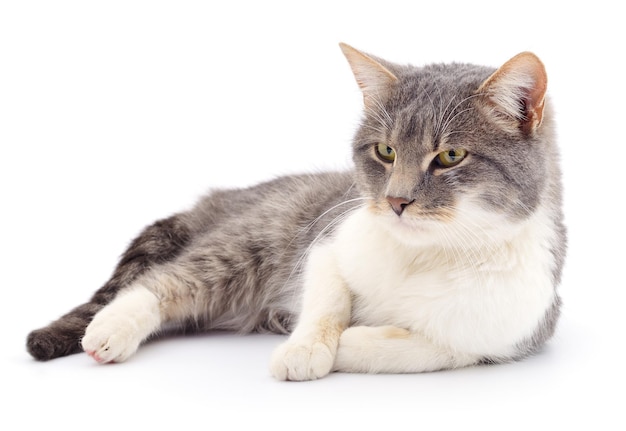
114,114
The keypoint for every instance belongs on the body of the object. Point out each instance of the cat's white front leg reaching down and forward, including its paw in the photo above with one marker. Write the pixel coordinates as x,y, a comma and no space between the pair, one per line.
310,351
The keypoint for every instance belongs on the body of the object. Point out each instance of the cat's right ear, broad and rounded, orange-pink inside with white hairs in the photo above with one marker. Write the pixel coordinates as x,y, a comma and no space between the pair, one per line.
516,92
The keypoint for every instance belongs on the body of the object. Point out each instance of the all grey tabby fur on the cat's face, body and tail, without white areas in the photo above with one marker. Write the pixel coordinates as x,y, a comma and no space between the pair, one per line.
239,252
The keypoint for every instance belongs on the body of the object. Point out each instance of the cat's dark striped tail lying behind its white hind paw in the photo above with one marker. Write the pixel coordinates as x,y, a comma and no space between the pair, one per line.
158,243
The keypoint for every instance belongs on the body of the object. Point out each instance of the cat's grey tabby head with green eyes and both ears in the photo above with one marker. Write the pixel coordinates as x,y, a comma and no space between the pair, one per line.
453,147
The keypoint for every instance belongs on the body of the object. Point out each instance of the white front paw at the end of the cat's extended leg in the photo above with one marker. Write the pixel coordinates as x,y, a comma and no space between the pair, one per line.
300,361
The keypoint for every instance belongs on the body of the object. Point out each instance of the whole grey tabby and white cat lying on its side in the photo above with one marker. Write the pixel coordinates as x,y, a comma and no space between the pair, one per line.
442,248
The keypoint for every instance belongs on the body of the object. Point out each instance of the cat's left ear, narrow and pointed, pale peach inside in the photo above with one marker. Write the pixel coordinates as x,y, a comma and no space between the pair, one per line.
373,78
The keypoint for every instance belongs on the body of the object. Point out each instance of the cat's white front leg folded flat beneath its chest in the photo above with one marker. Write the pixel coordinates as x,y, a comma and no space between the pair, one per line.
388,349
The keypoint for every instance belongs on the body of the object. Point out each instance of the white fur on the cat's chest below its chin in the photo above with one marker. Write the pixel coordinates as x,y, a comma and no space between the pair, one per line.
474,301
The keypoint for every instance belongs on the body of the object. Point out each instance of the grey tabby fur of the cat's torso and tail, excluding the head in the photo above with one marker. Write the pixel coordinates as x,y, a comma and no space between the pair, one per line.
238,251
